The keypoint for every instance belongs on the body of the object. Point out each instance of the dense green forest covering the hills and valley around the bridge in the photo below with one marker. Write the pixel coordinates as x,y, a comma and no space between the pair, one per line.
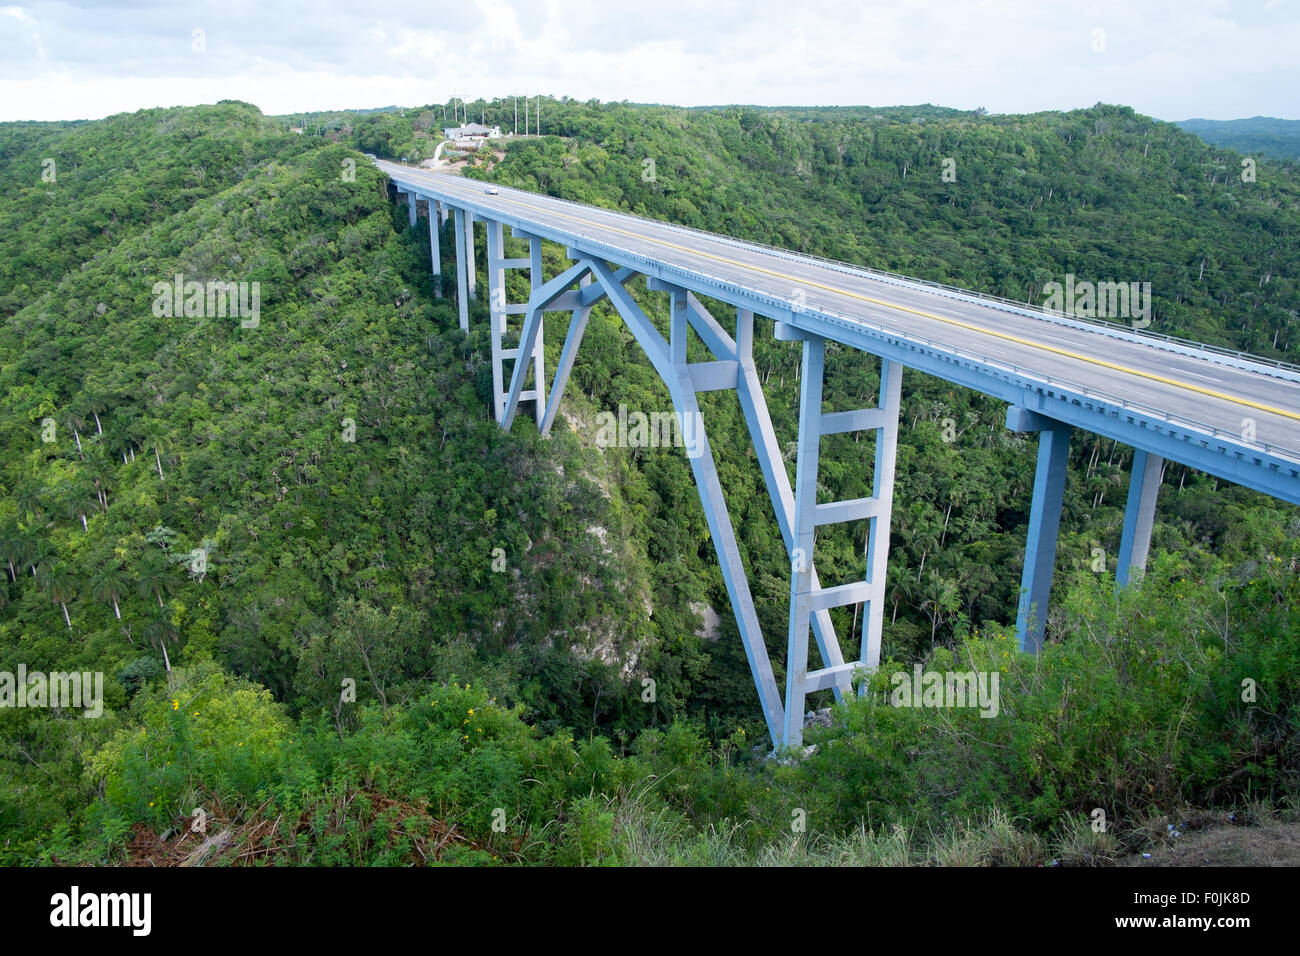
345,618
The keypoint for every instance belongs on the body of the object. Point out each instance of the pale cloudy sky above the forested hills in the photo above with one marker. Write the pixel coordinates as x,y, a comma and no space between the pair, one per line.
1171,59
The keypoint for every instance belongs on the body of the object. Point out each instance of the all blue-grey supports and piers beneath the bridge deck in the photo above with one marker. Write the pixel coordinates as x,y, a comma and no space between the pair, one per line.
593,276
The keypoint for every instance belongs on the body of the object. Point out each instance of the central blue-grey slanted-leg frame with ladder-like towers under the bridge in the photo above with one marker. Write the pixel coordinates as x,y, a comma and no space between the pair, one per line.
588,282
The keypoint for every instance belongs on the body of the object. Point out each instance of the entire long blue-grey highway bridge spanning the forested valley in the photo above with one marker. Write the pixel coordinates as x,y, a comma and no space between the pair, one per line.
1223,413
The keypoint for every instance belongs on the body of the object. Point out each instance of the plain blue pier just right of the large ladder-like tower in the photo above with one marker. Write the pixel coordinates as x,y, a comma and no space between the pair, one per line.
1045,521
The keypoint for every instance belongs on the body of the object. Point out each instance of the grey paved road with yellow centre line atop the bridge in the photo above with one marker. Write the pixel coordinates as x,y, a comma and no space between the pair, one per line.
1195,388
